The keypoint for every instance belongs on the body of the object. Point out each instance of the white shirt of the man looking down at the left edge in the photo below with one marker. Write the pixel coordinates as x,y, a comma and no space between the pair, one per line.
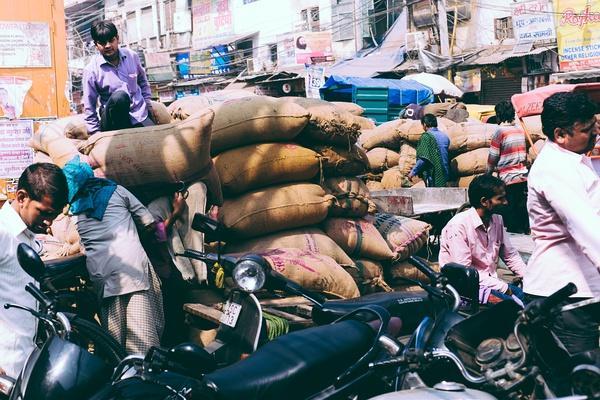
17,327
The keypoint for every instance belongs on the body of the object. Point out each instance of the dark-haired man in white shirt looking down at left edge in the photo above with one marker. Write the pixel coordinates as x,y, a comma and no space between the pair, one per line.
41,196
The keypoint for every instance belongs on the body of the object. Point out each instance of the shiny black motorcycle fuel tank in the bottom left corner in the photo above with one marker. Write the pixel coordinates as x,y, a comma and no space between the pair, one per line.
60,370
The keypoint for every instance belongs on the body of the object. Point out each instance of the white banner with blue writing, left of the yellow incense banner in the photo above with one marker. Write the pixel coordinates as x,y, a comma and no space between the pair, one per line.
533,21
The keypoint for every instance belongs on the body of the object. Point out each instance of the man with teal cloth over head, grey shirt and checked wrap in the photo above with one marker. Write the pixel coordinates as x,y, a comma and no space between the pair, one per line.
107,216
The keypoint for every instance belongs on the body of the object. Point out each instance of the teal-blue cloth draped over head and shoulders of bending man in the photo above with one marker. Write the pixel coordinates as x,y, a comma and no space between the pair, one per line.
87,194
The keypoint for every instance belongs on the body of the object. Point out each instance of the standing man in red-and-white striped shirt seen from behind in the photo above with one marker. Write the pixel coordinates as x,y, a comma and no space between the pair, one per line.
508,155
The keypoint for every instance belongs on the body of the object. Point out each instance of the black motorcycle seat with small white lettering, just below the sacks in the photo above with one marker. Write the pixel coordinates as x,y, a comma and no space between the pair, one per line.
411,307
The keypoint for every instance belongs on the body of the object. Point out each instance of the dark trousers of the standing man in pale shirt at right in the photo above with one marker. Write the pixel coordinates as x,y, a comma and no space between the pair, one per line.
577,329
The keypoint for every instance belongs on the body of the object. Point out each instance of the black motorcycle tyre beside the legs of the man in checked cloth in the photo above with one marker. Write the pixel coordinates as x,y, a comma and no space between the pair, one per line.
96,340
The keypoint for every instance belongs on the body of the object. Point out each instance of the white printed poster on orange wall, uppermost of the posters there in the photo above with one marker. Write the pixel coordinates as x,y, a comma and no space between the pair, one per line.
24,44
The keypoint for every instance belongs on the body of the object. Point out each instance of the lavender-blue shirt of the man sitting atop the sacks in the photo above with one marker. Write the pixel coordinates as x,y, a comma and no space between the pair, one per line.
101,79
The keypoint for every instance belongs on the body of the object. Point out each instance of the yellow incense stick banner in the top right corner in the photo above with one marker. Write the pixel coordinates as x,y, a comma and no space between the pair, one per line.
578,34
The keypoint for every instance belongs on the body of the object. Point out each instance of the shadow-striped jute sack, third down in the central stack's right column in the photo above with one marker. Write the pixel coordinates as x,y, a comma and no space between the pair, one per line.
351,197
